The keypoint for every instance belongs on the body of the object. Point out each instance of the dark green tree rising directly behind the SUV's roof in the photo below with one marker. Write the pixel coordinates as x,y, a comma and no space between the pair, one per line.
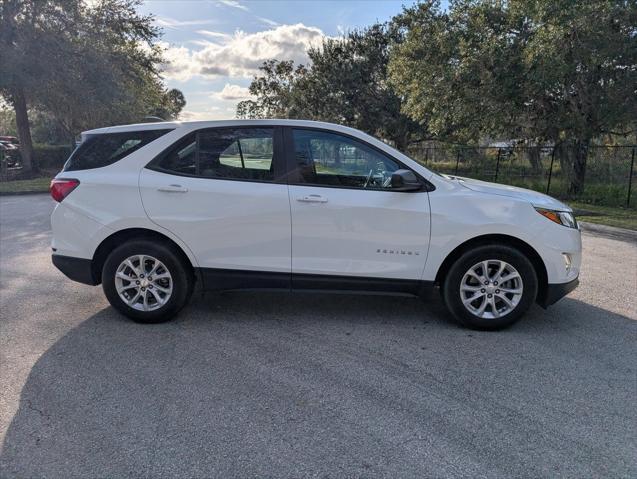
346,83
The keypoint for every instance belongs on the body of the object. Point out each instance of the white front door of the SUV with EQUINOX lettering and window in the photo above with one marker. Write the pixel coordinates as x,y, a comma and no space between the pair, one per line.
346,219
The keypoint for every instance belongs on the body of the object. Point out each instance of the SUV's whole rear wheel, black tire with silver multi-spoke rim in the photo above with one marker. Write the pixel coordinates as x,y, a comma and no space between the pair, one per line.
160,298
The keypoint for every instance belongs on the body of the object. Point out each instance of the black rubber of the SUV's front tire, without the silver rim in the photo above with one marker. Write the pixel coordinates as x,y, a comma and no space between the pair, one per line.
451,287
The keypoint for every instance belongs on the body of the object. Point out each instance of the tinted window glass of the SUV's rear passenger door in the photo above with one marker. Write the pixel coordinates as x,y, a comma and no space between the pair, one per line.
223,153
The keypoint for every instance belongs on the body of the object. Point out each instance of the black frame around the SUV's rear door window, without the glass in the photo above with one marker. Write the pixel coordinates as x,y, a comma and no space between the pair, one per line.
278,155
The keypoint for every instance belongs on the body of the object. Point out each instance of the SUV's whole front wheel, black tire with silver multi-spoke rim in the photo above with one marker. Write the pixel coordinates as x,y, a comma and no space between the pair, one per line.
518,286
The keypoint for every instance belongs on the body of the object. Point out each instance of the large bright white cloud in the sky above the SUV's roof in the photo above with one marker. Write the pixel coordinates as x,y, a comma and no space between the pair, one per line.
241,54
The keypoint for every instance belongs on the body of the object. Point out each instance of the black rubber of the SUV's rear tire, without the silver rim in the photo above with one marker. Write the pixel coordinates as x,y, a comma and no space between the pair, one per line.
182,280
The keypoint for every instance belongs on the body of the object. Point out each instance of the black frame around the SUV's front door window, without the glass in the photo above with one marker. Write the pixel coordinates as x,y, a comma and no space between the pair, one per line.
295,178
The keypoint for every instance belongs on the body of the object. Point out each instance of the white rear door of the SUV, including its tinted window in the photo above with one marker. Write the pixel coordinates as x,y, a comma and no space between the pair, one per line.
219,191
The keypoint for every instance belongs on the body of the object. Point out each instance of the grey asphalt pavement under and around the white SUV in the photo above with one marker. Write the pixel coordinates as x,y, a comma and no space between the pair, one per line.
280,385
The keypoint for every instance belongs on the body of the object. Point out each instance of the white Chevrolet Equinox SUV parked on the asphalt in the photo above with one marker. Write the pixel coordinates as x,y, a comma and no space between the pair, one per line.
153,211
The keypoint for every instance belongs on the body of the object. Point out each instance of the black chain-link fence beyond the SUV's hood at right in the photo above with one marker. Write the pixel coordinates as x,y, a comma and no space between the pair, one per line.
609,177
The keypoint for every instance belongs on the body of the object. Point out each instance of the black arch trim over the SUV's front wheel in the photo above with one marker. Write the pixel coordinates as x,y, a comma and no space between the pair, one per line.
499,239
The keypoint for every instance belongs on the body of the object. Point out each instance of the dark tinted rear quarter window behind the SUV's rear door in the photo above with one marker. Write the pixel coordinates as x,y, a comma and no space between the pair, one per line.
105,149
